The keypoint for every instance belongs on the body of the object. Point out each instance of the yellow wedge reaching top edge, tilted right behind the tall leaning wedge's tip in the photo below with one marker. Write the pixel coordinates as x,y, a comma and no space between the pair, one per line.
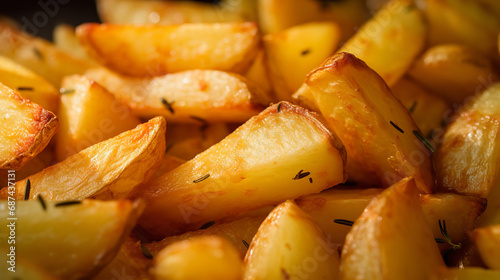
391,40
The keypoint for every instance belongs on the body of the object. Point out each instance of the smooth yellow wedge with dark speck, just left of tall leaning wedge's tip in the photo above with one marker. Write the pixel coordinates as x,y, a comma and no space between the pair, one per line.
294,52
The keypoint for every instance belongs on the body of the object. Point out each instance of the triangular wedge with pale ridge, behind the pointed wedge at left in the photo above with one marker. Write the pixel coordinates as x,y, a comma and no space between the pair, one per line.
89,114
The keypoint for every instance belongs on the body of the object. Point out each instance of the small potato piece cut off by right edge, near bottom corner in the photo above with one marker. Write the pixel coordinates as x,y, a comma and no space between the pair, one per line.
487,241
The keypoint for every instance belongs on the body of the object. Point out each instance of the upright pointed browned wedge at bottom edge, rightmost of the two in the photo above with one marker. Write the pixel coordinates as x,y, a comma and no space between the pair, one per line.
381,239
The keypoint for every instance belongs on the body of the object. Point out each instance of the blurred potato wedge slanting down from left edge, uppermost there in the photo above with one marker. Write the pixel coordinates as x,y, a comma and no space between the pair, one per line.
39,55
